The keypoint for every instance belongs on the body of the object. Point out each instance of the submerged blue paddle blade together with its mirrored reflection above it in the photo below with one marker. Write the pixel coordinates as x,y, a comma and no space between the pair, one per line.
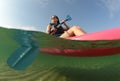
23,56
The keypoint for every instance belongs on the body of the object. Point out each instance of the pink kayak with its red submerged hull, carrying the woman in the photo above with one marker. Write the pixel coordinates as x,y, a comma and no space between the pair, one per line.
102,43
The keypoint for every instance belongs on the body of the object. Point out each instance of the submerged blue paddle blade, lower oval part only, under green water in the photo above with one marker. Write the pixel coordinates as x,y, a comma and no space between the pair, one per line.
17,62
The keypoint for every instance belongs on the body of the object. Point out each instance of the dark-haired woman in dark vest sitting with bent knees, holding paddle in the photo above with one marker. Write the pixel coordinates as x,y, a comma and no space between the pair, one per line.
63,32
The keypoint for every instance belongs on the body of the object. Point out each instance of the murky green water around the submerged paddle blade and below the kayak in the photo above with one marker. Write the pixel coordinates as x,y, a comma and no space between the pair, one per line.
56,68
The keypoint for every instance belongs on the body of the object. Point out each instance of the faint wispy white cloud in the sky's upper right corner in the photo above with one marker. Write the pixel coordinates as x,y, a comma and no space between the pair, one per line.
113,6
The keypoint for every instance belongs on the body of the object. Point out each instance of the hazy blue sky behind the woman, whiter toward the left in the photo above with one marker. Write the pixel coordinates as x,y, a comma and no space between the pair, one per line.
91,15
